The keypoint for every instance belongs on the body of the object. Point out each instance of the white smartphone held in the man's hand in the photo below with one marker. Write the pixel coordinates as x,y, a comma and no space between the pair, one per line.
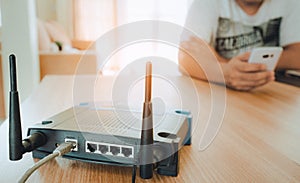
266,55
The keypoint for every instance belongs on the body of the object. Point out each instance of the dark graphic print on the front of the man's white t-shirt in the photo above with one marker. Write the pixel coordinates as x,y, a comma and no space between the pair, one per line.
234,38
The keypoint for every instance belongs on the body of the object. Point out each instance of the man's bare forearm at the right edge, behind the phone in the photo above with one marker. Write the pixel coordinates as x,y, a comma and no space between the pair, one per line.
290,58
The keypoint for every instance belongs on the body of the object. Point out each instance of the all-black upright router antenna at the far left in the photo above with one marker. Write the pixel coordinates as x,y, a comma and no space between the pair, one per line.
15,132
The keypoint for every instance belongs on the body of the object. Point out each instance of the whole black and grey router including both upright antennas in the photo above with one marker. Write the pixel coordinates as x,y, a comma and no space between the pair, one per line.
106,136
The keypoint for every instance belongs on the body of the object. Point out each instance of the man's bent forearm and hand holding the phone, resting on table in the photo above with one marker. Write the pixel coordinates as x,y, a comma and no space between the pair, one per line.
202,62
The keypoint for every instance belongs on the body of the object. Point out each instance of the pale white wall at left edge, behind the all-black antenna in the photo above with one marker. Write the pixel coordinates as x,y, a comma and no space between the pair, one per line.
19,36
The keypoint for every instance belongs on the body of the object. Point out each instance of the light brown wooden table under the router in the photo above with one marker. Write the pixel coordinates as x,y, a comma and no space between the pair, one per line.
258,141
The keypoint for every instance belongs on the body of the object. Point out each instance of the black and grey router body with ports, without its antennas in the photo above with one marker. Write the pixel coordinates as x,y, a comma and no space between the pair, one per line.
113,136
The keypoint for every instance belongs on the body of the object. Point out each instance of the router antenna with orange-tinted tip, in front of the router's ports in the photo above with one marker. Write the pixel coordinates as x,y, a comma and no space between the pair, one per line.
146,151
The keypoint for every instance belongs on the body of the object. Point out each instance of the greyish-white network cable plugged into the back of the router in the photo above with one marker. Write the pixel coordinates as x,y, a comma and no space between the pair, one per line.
59,151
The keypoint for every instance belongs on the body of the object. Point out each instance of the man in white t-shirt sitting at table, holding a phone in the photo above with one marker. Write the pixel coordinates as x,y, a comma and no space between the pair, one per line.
232,28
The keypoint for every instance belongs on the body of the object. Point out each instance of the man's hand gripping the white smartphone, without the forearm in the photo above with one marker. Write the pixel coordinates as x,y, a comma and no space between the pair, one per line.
244,76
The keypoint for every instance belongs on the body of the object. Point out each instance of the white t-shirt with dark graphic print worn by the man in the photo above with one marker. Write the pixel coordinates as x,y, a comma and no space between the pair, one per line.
227,28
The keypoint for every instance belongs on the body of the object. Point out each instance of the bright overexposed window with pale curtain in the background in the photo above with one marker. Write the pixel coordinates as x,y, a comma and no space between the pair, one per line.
93,18
